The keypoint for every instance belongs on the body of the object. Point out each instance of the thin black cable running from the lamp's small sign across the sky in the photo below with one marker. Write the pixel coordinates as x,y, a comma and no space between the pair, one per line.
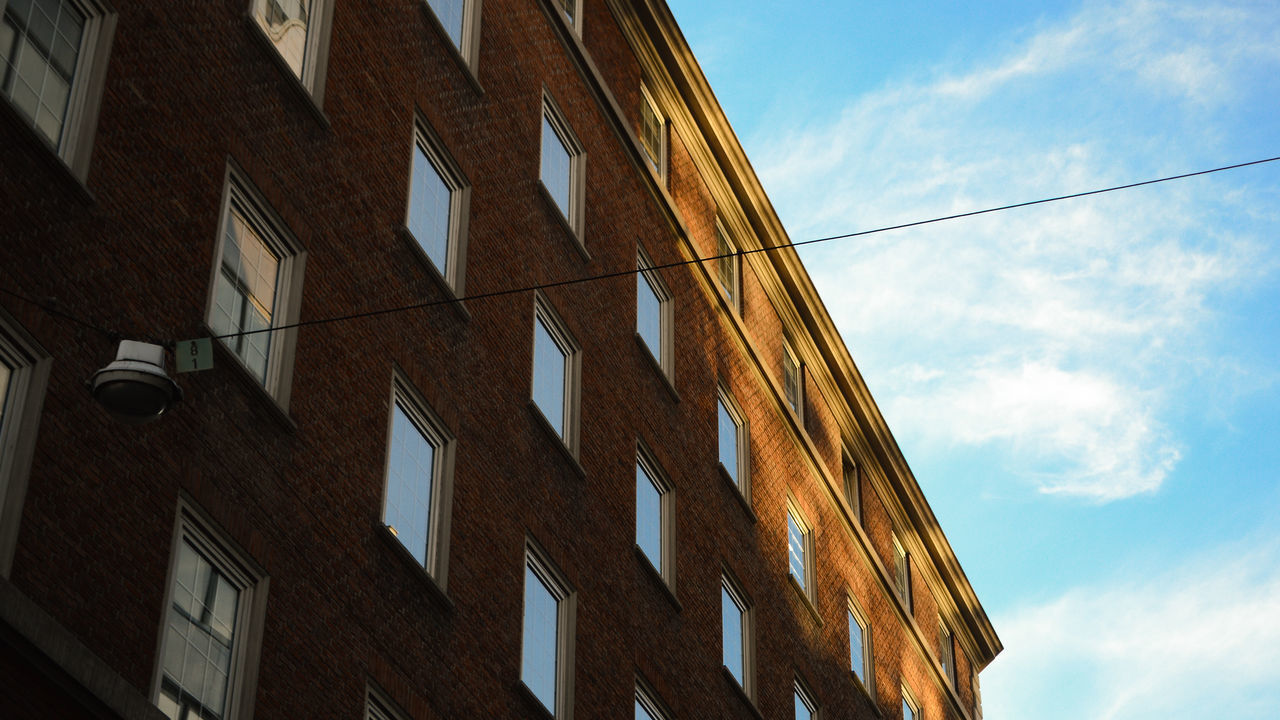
739,253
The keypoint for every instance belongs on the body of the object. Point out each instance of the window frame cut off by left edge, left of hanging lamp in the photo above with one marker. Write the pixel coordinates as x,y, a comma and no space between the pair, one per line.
20,422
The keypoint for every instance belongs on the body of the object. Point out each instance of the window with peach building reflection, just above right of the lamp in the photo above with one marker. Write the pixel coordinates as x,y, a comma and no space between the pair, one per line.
257,286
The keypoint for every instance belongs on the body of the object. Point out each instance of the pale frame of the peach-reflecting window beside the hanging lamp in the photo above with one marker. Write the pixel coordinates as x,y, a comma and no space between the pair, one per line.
240,195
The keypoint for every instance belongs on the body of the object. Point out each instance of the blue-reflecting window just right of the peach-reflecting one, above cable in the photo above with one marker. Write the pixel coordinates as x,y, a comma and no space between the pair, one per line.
438,202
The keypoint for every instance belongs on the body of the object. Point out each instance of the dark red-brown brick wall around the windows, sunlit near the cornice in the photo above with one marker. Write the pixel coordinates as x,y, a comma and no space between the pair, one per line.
300,490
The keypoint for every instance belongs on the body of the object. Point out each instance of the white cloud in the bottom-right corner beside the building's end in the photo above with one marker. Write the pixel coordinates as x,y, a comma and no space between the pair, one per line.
1203,641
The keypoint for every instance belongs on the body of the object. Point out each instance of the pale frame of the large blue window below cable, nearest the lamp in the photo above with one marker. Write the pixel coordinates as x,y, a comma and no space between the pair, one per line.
445,444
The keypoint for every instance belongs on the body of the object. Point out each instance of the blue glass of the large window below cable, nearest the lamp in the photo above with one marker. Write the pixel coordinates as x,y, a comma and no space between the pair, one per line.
410,477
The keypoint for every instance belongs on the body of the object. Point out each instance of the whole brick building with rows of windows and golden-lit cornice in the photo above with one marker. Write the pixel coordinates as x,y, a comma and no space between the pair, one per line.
665,493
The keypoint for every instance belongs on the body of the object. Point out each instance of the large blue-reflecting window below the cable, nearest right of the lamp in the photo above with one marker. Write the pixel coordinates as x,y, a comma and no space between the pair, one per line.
419,481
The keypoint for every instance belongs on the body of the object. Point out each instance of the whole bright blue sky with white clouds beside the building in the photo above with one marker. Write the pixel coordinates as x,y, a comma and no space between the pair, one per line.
1087,391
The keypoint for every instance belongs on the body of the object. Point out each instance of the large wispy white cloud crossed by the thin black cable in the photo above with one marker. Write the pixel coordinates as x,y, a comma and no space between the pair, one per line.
1058,334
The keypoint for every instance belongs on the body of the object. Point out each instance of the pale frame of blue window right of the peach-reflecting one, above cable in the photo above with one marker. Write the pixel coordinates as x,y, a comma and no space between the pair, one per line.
454,274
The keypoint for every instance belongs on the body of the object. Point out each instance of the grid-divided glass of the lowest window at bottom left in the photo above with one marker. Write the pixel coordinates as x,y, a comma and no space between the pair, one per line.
199,639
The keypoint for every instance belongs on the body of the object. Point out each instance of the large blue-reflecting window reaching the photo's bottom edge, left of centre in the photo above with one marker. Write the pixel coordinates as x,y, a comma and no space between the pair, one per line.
547,662
